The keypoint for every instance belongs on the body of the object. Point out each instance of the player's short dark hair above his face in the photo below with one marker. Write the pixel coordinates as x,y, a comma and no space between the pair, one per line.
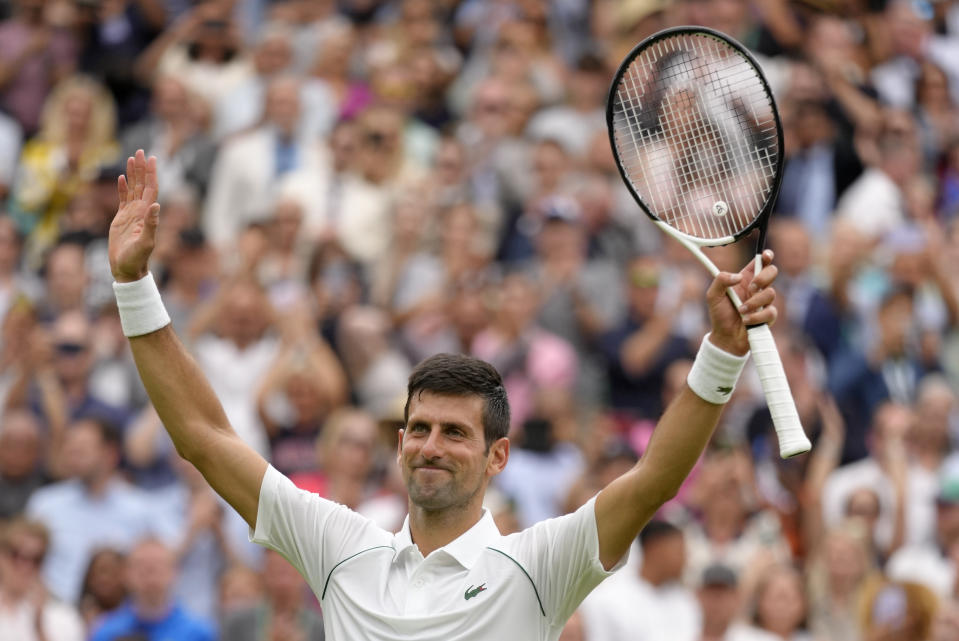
459,375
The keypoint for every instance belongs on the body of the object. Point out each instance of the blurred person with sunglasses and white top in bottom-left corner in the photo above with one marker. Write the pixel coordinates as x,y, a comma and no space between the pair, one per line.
27,611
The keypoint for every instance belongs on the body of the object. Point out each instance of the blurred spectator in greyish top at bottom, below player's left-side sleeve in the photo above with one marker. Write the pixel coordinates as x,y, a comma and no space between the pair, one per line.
283,613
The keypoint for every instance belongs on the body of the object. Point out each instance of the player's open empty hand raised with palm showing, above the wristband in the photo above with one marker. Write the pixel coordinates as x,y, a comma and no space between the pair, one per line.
133,231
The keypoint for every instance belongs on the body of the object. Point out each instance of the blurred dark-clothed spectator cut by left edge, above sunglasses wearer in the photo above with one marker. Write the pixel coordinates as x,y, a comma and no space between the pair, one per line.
23,460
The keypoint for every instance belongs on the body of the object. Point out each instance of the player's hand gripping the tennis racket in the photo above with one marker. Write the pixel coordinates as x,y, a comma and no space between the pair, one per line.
729,324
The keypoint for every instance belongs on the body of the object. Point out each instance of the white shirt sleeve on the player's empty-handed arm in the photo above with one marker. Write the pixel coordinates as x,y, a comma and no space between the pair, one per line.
312,533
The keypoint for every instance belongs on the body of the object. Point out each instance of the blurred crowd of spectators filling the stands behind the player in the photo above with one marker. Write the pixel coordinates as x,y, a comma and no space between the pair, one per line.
348,187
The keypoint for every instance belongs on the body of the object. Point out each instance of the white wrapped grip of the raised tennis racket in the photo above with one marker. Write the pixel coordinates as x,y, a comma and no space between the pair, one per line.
792,438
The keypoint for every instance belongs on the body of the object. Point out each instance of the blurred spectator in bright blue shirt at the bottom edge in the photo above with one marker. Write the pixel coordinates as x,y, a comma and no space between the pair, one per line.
152,613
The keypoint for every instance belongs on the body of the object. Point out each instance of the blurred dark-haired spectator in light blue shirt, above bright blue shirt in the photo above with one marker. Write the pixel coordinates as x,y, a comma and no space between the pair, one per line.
91,508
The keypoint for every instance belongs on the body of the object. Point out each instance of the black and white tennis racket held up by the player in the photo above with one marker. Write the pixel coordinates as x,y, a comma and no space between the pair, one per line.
698,142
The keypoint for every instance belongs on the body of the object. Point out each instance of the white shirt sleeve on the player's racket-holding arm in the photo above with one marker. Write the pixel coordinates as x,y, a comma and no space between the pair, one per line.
562,558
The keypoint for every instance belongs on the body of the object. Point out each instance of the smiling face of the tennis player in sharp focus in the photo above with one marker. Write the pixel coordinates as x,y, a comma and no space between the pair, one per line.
443,454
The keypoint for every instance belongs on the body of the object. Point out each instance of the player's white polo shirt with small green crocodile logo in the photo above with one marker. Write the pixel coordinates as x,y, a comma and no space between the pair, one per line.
376,585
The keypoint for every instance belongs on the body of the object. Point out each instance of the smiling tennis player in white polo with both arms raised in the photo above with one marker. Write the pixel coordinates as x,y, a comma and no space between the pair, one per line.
448,573
